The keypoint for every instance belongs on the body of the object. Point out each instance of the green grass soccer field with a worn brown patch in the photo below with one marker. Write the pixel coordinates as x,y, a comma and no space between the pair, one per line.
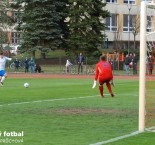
67,111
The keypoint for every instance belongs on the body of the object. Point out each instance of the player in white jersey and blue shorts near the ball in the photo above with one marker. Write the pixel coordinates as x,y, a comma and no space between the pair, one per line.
3,74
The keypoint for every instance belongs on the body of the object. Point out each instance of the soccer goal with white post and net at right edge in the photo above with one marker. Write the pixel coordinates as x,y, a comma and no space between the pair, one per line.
147,60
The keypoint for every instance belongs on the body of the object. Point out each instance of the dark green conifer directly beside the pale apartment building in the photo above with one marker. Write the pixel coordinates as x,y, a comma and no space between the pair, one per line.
85,25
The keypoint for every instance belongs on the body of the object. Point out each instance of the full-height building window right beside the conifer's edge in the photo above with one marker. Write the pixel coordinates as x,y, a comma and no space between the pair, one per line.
111,23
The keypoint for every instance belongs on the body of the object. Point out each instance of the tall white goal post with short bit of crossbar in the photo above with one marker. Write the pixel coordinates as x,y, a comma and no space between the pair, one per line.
142,68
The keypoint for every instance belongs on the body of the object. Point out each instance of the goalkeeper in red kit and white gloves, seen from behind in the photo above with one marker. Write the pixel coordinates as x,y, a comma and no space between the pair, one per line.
103,75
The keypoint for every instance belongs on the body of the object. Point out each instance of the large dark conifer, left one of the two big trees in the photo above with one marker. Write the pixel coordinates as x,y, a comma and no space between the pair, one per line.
42,24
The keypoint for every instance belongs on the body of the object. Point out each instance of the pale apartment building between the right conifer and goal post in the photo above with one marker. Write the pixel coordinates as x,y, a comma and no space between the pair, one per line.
123,26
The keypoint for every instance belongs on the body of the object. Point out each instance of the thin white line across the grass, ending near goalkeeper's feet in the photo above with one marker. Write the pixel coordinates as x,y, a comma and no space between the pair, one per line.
50,100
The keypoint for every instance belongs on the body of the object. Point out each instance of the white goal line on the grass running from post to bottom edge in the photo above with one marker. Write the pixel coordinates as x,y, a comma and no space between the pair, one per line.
116,138
